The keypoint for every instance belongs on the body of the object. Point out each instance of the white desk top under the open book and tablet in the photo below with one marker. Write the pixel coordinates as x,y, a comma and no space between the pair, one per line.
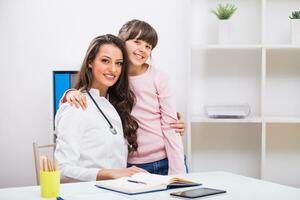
237,187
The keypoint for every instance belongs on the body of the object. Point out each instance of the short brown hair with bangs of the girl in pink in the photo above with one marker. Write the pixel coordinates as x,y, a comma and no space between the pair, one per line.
137,29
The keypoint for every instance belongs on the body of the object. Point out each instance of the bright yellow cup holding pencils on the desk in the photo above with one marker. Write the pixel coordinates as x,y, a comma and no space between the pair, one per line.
49,183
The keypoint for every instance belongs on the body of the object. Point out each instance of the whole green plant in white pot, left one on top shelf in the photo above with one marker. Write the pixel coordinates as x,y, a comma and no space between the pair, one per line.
223,13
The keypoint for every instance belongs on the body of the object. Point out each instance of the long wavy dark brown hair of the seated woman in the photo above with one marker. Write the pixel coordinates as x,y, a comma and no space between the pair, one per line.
120,94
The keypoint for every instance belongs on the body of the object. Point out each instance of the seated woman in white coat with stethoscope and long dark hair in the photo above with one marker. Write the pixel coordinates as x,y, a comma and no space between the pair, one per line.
91,144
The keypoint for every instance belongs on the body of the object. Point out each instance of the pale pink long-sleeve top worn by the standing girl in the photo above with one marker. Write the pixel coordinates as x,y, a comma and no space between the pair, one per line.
154,110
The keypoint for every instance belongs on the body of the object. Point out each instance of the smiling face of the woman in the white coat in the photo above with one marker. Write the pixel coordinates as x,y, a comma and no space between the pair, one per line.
106,67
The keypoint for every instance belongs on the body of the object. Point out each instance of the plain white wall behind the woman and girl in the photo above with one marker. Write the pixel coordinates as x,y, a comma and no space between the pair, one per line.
37,36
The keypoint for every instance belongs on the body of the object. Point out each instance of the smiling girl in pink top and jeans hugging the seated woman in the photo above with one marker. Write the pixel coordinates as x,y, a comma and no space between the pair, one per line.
160,149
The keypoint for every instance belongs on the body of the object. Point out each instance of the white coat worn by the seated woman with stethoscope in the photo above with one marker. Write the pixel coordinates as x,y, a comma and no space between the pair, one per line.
85,144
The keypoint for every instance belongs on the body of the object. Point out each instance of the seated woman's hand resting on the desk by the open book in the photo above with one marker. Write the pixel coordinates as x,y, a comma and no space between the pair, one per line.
118,173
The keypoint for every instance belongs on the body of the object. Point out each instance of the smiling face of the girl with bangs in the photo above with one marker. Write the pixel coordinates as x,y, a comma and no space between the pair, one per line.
138,51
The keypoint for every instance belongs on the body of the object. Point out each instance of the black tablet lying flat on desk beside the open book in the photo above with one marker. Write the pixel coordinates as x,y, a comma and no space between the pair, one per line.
199,192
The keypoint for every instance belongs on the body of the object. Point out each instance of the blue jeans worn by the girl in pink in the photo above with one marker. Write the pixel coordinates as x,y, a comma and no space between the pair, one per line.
158,167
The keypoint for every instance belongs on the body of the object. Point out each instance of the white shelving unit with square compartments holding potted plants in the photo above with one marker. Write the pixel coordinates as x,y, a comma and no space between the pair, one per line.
260,68
